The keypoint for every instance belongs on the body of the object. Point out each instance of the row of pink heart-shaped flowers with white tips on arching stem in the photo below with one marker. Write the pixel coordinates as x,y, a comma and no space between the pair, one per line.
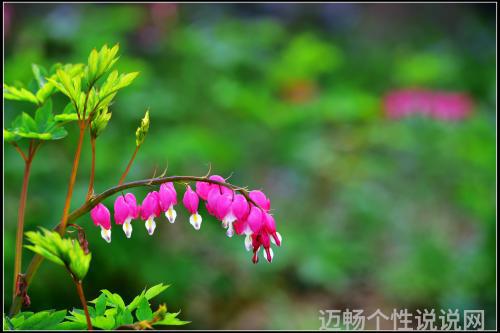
242,215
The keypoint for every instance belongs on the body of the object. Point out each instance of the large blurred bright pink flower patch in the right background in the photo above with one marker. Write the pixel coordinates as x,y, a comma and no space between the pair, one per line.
436,104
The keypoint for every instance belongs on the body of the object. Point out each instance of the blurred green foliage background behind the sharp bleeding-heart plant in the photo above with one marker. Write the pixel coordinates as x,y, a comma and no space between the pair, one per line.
375,212
